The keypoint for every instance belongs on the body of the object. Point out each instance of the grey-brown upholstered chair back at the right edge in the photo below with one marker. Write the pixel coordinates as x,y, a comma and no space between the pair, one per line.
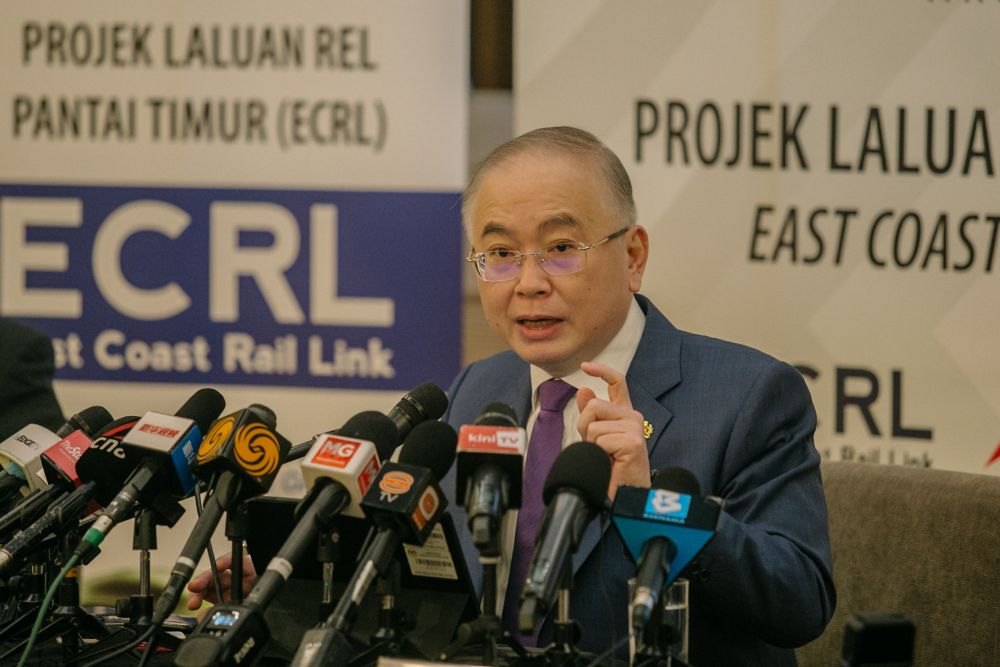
921,542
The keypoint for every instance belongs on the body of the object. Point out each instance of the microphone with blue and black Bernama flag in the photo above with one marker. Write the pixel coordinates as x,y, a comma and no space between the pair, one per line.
663,528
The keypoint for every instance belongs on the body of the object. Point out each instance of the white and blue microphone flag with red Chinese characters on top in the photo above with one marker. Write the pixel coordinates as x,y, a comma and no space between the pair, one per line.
170,436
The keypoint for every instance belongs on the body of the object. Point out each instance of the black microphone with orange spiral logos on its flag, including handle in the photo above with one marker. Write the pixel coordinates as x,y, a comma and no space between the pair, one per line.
242,452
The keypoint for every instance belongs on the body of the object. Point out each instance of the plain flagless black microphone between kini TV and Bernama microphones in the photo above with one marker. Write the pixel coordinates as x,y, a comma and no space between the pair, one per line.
575,492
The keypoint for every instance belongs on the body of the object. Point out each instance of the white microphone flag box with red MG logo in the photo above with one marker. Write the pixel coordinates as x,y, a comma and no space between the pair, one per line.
351,461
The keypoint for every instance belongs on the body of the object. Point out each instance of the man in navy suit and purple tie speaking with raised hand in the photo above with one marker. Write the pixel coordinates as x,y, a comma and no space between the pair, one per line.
560,258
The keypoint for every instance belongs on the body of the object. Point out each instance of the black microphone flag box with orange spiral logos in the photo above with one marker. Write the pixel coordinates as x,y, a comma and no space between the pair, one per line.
244,443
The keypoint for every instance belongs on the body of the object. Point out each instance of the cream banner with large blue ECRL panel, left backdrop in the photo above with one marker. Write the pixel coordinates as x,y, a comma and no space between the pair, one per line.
254,196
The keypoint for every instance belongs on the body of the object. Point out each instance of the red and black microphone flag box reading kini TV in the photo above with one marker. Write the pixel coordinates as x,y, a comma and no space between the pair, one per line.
500,446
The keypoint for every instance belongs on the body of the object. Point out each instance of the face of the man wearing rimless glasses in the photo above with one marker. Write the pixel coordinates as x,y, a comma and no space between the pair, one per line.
531,201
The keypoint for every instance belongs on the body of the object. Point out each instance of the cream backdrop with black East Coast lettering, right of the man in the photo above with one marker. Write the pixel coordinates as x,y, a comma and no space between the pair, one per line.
819,180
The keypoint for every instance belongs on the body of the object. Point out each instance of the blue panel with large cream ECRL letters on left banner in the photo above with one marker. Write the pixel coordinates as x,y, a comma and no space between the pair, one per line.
356,290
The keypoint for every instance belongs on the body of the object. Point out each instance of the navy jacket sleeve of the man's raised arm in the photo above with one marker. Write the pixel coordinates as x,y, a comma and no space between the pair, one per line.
769,567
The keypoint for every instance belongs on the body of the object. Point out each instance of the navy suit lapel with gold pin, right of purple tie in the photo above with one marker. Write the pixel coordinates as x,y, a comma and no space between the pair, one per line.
655,369
